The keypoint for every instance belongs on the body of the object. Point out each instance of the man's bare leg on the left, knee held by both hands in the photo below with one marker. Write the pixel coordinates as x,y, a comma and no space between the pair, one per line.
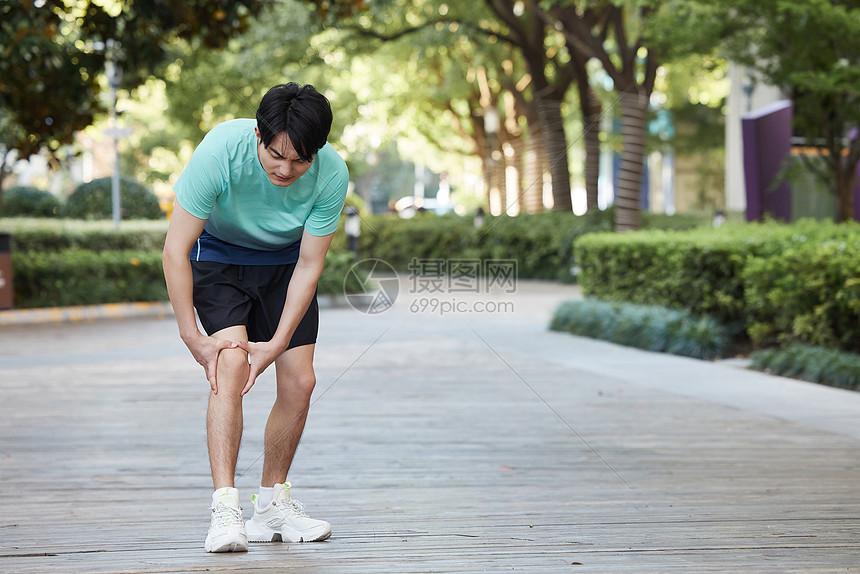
224,415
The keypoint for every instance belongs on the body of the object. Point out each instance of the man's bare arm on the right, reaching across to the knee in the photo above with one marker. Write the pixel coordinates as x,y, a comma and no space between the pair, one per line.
300,292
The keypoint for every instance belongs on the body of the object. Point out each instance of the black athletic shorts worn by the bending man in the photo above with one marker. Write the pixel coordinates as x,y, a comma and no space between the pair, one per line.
227,295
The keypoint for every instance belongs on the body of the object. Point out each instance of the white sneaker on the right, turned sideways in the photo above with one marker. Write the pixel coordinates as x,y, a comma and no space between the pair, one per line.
285,520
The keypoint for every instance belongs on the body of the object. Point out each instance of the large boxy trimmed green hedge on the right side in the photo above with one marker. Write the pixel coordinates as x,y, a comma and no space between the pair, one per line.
783,283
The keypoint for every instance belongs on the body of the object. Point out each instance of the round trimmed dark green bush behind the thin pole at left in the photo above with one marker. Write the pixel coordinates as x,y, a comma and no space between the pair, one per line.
92,200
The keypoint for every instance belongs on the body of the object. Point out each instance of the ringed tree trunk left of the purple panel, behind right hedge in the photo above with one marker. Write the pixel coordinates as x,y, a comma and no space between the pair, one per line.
629,183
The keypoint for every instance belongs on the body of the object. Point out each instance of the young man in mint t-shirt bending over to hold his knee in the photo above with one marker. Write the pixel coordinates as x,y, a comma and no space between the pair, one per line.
256,208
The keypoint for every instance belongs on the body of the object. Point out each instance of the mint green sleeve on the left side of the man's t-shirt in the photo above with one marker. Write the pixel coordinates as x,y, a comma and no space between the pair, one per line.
202,180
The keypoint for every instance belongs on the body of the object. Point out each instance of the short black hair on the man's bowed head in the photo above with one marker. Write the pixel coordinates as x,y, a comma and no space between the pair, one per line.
300,111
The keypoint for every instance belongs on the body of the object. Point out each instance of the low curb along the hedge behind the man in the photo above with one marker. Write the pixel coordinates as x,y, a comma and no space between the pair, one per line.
92,313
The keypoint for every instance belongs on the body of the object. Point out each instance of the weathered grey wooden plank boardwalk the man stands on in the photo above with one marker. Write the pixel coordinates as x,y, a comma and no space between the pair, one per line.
430,448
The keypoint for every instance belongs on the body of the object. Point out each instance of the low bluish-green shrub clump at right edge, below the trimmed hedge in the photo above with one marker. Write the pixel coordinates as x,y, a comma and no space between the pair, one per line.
816,364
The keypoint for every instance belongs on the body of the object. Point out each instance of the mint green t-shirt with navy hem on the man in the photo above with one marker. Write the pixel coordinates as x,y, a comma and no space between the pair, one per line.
225,184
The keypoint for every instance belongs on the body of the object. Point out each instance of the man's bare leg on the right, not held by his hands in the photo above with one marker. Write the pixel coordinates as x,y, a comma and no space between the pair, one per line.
296,380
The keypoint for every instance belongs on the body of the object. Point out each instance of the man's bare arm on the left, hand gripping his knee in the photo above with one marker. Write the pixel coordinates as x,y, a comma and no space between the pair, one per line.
182,233
